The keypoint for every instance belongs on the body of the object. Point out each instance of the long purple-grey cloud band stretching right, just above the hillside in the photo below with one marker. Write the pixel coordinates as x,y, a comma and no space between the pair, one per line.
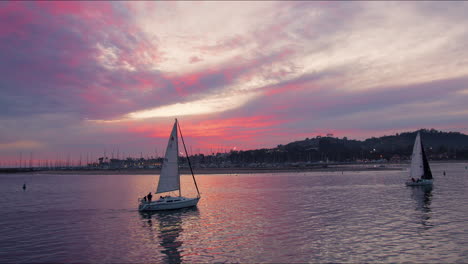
308,103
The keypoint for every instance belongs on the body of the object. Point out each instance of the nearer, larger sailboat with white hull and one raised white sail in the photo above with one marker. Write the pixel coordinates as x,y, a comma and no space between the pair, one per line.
169,179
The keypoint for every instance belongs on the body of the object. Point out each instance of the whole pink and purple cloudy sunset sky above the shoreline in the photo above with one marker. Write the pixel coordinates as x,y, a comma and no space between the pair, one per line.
84,78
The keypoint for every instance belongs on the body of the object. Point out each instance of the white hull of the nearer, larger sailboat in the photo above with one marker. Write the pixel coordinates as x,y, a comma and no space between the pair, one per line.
168,203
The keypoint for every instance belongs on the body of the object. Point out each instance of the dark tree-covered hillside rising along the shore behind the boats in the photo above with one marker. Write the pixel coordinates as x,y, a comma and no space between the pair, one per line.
439,146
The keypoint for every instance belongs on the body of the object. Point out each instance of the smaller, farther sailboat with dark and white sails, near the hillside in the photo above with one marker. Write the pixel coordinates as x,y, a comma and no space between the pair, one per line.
420,172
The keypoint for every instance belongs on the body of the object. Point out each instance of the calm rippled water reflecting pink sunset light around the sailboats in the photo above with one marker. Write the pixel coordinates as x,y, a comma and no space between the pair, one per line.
294,217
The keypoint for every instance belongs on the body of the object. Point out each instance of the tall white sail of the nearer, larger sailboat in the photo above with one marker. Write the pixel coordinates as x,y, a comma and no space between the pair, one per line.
169,179
